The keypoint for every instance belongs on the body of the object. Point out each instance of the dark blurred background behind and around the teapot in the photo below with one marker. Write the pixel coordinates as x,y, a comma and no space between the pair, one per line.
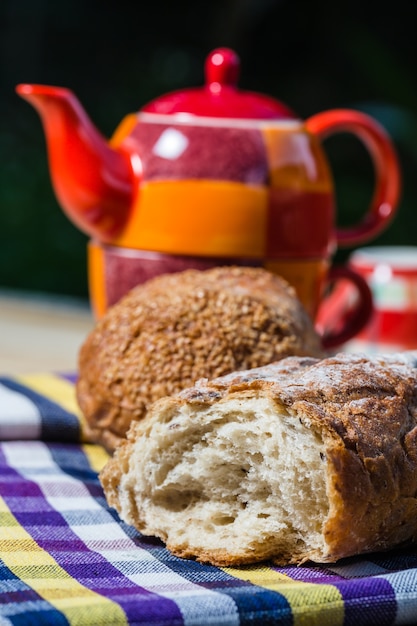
116,56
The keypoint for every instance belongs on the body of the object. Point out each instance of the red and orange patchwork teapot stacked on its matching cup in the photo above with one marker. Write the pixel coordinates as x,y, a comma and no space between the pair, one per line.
208,176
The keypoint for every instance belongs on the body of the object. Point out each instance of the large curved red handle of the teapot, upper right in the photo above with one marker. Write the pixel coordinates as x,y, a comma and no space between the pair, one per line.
386,166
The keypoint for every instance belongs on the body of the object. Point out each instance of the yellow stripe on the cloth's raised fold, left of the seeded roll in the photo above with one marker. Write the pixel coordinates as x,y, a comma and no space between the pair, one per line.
58,390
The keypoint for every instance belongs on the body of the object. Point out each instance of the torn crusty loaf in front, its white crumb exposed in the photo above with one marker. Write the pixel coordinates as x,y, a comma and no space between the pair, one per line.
299,460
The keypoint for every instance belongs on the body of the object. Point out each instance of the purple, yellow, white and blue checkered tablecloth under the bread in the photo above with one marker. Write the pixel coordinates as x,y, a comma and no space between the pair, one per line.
66,558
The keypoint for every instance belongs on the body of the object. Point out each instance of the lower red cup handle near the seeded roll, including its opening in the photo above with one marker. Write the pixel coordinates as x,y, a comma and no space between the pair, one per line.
338,320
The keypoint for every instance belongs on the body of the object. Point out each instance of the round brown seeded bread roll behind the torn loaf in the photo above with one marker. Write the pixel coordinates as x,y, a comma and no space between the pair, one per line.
171,331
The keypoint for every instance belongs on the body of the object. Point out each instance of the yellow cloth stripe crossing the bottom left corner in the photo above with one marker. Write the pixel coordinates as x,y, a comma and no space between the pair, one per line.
37,569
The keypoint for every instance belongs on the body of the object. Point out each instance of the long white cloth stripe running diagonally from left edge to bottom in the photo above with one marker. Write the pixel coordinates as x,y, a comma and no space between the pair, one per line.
105,538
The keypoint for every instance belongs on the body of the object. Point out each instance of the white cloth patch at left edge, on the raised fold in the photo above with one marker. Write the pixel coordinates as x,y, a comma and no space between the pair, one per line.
19,416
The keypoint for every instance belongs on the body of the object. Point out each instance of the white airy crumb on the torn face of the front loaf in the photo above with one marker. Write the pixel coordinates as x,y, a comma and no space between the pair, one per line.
242,475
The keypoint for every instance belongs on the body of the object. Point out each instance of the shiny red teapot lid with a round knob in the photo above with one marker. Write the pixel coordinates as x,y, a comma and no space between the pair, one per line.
220,97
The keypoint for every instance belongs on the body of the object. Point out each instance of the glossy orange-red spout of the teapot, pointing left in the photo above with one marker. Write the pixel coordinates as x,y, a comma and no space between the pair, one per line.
93,182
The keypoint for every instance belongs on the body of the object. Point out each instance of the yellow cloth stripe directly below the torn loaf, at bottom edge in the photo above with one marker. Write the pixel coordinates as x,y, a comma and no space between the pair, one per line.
311,604
